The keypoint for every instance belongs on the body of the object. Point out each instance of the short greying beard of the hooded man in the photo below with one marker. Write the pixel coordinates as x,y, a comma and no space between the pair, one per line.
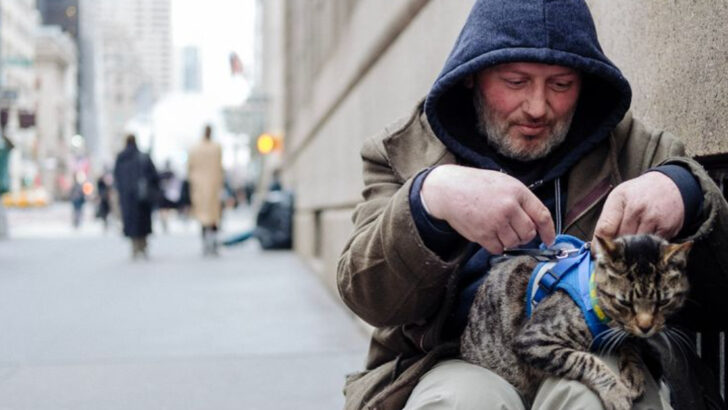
496,133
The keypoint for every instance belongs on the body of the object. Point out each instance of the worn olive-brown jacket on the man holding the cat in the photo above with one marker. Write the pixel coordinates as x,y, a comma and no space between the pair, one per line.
389,278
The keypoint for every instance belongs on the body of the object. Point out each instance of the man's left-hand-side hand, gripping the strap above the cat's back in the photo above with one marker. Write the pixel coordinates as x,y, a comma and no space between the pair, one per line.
491,208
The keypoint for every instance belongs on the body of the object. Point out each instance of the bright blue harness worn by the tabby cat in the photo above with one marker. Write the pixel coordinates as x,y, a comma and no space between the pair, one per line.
573,273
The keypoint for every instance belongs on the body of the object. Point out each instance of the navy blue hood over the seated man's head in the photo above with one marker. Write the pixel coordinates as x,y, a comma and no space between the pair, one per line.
557,32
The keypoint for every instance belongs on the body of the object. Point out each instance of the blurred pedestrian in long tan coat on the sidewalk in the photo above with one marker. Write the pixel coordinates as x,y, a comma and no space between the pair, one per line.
205,174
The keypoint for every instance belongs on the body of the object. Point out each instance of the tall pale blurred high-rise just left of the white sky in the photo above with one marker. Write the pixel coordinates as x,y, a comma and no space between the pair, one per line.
126,67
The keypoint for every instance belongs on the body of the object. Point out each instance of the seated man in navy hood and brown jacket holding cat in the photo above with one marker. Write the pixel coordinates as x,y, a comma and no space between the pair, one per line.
525,134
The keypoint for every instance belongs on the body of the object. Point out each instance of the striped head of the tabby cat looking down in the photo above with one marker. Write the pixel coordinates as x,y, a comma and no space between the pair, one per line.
640,281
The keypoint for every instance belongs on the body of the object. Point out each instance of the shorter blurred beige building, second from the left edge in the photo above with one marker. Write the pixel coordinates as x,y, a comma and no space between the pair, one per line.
56,68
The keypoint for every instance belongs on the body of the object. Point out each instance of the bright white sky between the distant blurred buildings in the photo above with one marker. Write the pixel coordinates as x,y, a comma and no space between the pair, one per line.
217,28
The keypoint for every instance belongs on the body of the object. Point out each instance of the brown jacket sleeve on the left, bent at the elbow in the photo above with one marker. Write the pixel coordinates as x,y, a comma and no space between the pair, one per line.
386,274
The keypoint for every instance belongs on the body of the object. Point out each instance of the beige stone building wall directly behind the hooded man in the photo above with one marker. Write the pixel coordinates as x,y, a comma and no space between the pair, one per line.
352,67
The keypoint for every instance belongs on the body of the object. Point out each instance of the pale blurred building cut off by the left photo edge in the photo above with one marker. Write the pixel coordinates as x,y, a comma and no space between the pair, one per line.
19,20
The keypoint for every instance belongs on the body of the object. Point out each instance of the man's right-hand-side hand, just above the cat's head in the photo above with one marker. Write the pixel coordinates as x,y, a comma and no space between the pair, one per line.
650,203
